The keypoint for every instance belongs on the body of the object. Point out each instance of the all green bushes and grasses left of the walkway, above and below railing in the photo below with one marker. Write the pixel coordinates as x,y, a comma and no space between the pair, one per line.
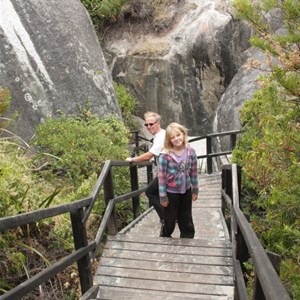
60,166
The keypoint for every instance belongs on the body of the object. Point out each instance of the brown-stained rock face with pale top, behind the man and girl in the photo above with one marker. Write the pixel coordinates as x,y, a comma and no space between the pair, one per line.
181,73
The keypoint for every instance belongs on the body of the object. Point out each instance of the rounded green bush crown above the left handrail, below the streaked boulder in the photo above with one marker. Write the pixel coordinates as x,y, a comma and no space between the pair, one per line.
74,148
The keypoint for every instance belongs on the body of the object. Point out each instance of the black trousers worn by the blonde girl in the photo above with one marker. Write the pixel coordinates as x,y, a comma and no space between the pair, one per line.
180,209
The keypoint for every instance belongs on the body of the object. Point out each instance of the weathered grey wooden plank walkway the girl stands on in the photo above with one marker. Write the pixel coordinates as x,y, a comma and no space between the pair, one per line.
138,264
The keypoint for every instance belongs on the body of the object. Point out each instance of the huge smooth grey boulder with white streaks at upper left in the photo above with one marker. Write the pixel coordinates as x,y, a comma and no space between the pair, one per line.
51,61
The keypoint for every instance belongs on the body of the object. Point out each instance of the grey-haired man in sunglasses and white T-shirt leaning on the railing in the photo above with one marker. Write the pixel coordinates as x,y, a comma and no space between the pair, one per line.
152,122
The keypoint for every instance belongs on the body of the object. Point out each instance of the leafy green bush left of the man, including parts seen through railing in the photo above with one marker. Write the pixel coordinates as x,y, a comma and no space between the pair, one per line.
74,149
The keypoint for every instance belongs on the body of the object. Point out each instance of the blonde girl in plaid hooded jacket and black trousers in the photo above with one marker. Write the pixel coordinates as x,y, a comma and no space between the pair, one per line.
178,182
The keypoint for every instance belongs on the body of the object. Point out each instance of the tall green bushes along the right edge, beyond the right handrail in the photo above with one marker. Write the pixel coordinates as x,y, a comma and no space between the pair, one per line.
269,149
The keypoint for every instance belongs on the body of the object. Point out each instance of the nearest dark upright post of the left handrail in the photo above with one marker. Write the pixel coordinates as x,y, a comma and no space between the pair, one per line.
80,240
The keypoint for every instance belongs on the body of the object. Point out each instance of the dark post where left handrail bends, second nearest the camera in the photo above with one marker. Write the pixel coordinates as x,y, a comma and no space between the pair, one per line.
108,195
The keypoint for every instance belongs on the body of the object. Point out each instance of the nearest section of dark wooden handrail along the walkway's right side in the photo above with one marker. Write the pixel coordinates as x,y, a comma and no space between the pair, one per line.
245,244
